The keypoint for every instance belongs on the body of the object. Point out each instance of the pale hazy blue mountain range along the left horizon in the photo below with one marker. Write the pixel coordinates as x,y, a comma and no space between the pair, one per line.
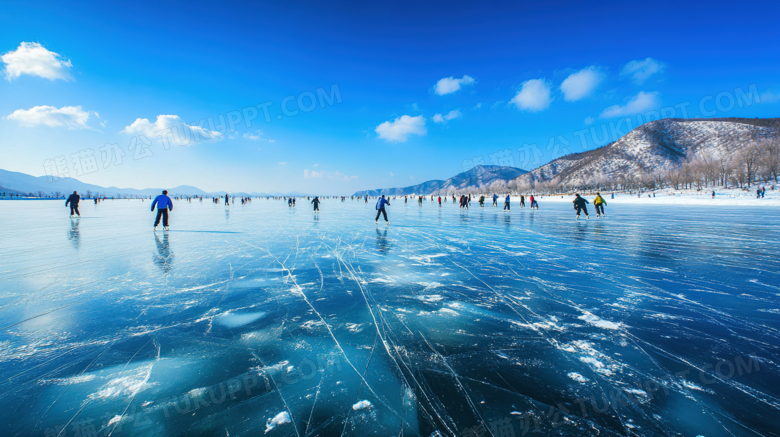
14,182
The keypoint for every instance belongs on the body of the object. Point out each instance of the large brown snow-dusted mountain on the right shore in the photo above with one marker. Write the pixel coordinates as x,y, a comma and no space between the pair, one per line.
656,146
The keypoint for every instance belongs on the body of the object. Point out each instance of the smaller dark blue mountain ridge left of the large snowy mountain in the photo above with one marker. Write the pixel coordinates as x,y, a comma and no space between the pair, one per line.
480,175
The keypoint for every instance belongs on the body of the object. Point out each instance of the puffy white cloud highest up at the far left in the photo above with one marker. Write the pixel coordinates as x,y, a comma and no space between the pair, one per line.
33,59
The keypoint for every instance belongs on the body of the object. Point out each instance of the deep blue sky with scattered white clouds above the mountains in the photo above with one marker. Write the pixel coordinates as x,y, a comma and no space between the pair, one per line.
425,88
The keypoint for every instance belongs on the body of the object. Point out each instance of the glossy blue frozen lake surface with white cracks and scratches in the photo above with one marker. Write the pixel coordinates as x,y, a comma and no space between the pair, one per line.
259,319
